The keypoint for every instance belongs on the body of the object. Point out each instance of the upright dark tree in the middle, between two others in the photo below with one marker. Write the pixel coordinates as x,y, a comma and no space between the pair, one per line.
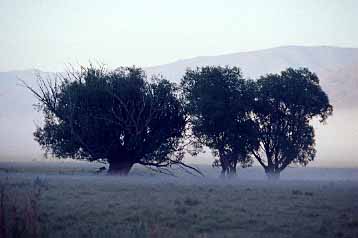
219,109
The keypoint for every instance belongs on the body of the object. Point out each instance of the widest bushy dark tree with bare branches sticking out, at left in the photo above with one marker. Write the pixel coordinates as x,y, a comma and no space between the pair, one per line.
117,117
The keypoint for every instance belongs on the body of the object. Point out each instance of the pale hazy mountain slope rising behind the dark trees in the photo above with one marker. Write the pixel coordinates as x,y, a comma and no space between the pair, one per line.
336,67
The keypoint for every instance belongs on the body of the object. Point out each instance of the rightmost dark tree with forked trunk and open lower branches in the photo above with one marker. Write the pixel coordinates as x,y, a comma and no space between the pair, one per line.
284,106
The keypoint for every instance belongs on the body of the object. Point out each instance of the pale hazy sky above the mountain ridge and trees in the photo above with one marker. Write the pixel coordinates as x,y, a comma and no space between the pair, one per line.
46,34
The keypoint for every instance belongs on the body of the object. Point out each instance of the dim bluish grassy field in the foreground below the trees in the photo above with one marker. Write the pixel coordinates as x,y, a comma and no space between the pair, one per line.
72,202
